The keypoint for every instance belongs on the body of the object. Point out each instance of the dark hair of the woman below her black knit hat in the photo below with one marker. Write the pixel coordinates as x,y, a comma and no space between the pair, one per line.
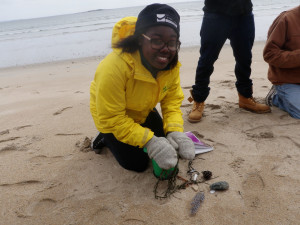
131,44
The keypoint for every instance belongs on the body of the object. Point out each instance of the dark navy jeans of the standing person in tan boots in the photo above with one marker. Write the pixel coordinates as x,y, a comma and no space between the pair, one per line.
215,30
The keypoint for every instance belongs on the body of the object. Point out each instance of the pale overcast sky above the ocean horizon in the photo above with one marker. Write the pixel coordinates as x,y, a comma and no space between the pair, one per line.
25,9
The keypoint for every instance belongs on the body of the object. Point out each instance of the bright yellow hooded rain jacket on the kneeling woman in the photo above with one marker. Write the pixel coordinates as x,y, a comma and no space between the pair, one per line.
124,92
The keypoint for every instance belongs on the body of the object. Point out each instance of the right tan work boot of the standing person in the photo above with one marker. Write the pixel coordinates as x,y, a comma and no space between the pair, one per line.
251,105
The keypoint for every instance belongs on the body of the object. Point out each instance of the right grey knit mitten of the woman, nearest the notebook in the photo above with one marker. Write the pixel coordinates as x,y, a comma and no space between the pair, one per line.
183,144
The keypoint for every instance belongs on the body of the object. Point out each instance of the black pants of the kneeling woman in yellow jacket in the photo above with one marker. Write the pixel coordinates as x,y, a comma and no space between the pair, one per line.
131,157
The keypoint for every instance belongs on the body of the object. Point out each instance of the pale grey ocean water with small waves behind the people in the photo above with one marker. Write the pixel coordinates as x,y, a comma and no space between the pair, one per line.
86,34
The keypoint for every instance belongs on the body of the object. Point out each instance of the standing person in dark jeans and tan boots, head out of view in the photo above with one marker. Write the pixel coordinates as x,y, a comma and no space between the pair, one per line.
233,20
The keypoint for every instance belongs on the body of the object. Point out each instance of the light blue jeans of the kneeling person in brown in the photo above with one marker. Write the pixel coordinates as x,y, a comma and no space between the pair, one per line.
287,98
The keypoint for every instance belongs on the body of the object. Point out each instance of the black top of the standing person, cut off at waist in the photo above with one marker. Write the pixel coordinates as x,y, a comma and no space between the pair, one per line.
228,7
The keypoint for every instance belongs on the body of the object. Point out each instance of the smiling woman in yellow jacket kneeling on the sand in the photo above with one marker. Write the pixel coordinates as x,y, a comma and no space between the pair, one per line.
141,71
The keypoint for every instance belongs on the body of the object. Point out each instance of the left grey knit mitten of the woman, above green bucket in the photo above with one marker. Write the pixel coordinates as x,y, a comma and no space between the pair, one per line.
162,152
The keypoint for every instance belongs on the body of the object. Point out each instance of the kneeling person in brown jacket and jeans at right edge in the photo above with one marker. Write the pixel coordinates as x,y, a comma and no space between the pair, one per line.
282,53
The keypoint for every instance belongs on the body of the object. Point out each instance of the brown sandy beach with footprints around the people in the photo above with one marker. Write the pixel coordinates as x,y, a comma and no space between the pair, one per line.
48,176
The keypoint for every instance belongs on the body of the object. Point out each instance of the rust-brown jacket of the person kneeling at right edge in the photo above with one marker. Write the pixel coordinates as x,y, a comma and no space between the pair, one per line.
282,50
